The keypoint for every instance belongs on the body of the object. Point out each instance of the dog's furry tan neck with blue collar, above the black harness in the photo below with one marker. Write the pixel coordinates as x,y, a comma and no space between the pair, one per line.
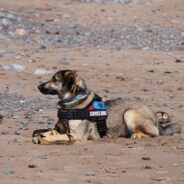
78,101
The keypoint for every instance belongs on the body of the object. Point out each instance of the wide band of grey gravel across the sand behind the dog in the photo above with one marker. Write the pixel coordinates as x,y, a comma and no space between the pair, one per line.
57,34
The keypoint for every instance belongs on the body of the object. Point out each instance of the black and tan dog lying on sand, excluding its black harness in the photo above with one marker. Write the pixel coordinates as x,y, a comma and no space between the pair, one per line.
126,118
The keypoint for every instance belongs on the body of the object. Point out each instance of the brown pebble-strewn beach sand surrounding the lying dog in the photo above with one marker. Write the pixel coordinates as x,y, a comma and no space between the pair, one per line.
153,75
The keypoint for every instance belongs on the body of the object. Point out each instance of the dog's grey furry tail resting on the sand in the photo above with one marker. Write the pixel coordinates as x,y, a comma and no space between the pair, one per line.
169,128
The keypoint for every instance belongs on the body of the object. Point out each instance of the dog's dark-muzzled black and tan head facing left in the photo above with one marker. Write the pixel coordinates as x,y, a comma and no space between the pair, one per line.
64,83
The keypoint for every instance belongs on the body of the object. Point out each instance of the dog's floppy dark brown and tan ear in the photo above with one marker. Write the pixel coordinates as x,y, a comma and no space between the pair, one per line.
73,82
